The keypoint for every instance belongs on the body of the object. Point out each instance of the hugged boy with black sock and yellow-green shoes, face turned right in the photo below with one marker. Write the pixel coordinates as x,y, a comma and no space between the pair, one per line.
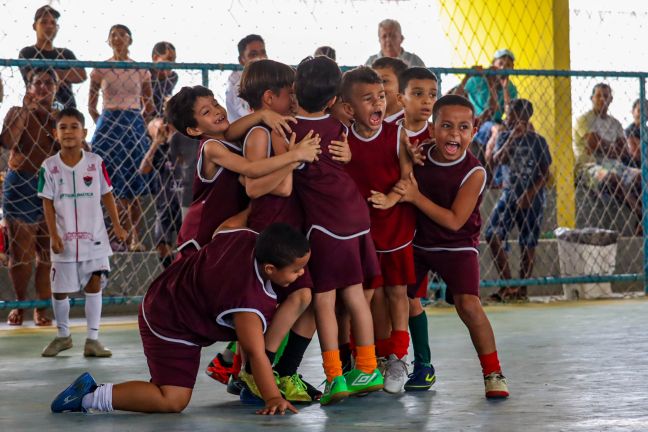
267,84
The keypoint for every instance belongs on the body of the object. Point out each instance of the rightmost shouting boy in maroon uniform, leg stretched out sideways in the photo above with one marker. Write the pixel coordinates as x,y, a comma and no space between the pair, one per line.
447,191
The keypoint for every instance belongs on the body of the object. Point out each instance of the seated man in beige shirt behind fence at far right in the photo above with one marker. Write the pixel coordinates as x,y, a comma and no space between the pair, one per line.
600,148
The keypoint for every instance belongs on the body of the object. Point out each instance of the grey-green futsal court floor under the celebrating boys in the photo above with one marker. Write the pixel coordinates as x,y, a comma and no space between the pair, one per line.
570,366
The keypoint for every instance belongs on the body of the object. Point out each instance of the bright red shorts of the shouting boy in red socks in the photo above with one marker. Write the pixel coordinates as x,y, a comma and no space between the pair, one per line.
396,268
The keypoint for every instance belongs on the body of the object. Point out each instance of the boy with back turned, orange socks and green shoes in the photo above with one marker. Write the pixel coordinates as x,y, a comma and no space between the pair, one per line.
337,223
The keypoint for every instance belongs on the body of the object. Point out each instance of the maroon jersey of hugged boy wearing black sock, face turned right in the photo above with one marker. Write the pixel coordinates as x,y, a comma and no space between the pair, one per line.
272,208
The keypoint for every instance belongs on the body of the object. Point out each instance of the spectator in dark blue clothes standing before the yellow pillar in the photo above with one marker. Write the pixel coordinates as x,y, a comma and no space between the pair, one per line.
522,200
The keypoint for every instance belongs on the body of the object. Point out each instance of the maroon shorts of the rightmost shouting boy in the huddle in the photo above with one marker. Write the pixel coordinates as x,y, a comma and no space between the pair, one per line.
459,270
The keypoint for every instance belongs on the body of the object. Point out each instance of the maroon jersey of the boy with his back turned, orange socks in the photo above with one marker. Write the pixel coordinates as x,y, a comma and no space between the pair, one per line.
329,196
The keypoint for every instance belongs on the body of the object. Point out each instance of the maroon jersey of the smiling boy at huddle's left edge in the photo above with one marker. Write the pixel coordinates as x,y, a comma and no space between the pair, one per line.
214,201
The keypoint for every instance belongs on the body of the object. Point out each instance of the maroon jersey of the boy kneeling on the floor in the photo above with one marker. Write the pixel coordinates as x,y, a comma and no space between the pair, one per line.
192,301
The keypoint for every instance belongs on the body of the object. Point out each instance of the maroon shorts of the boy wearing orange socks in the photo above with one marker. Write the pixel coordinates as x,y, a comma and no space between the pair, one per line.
337,263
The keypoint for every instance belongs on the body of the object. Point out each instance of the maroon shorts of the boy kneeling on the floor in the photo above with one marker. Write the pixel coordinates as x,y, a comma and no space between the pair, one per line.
170,363
